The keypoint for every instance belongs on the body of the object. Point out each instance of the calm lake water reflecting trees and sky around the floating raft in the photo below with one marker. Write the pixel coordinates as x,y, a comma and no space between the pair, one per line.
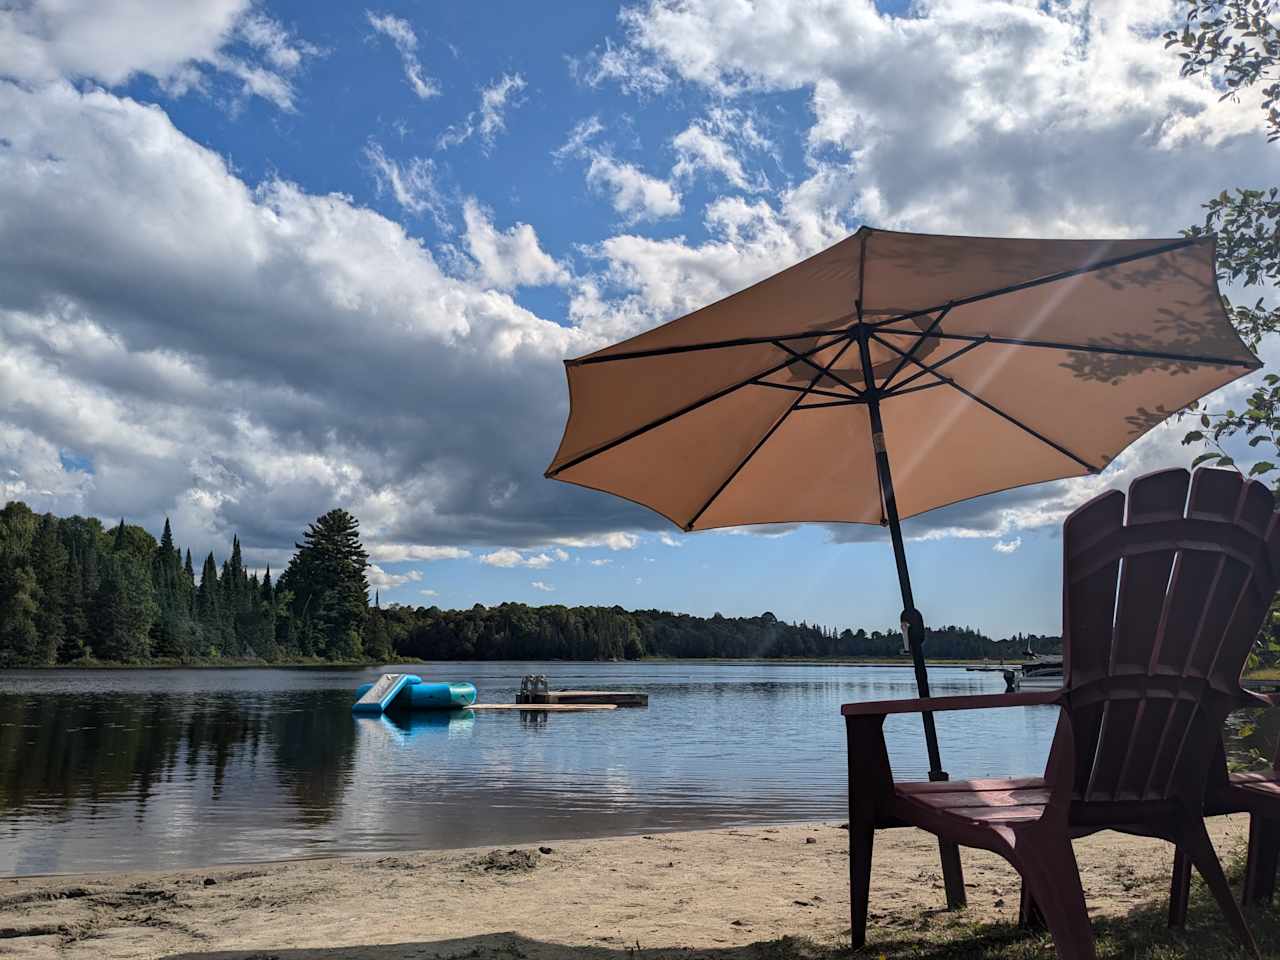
172,769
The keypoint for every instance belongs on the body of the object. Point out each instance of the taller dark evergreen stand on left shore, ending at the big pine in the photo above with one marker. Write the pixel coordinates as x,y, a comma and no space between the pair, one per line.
75,592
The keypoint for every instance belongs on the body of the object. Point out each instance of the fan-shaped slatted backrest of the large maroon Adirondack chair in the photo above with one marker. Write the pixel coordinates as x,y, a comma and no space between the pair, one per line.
1164,596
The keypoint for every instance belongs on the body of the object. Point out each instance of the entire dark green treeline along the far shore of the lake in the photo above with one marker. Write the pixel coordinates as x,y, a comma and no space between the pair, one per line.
76,592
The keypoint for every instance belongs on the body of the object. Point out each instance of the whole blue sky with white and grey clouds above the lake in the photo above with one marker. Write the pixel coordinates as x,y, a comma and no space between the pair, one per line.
263,259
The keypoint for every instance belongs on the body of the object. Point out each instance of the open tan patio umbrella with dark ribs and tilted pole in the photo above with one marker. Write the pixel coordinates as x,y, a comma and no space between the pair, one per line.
895,373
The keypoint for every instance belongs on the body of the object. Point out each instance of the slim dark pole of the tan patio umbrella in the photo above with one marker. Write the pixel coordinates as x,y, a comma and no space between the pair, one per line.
913,623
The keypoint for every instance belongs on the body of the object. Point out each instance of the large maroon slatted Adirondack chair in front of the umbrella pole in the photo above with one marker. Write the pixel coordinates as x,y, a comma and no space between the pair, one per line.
1160,611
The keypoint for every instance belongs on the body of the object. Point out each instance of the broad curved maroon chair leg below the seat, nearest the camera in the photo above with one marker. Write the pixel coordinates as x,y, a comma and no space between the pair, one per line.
1052,880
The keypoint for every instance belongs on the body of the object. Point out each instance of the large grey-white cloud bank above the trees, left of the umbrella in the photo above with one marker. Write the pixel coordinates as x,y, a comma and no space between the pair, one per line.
319,353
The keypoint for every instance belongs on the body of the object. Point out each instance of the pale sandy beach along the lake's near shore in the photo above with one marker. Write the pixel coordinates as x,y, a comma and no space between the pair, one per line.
708,893
